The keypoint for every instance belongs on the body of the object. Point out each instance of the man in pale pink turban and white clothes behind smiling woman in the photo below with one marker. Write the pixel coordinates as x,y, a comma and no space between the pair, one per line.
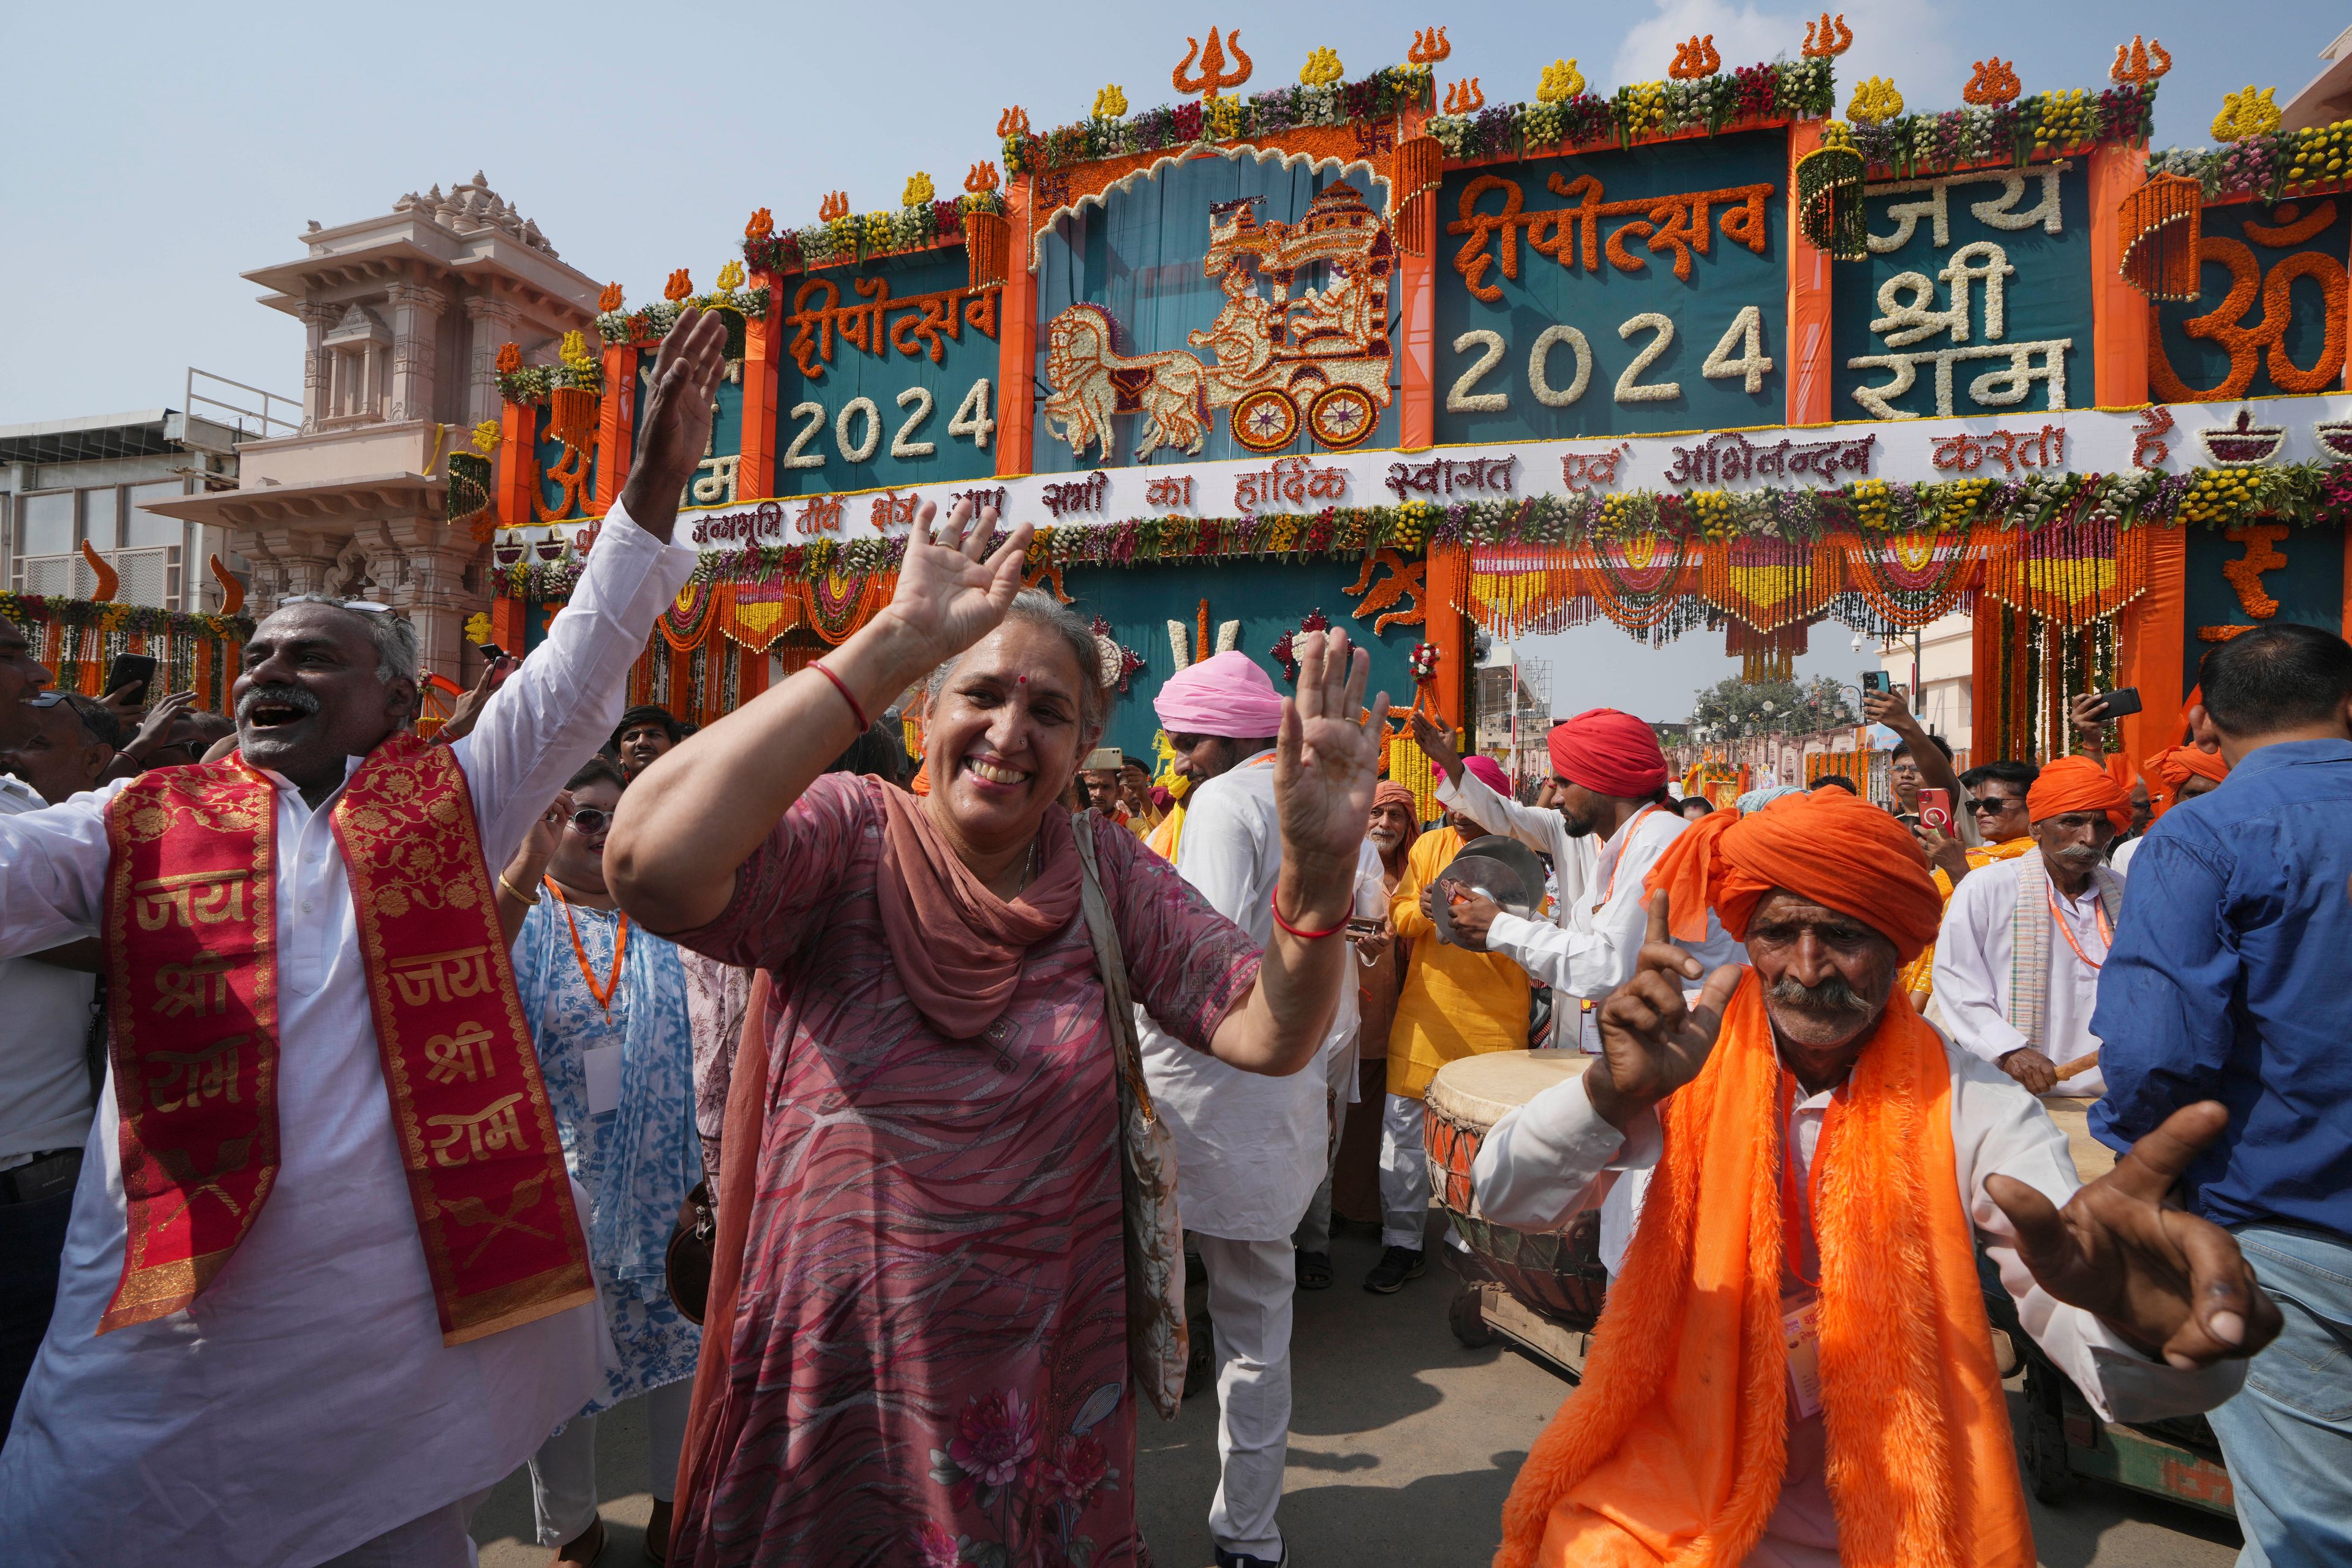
1250,1148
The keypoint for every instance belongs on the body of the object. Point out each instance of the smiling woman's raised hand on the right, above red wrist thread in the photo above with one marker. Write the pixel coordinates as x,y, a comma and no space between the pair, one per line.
1328,760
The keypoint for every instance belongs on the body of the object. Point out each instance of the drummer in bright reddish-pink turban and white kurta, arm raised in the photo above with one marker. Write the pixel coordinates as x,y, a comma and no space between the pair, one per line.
1612,822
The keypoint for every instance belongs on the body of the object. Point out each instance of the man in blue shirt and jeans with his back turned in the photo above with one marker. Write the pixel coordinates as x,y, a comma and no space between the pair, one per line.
2231,981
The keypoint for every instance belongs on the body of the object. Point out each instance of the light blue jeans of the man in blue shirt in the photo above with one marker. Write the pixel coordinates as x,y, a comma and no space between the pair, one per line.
2290,1435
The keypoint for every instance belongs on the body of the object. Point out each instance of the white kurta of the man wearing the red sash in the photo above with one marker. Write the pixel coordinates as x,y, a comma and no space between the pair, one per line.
305,1402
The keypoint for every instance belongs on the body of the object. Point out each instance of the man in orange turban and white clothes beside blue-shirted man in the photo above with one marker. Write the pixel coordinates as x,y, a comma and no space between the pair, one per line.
2022,944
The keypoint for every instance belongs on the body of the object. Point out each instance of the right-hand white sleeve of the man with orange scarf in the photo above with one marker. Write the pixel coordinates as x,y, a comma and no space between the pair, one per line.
1998,1127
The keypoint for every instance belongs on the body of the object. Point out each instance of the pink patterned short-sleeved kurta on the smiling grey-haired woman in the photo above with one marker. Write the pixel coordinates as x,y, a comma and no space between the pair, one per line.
930,1341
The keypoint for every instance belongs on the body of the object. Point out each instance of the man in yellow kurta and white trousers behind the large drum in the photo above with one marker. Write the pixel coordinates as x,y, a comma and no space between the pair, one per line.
1455,1005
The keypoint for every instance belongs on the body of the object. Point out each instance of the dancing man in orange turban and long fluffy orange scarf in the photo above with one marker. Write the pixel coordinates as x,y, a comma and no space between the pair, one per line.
1796,1367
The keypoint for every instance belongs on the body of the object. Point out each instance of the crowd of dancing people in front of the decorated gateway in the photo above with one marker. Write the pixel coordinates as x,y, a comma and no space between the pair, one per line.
363,1092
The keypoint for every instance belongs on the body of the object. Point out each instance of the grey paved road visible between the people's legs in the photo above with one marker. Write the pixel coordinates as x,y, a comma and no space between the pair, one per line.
1403,1447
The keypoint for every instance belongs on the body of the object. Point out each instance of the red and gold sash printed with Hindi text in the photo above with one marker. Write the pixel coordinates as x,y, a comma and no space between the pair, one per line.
194,1010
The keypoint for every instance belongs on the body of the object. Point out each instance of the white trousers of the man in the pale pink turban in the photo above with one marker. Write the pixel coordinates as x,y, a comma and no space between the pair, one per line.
1250,1308
